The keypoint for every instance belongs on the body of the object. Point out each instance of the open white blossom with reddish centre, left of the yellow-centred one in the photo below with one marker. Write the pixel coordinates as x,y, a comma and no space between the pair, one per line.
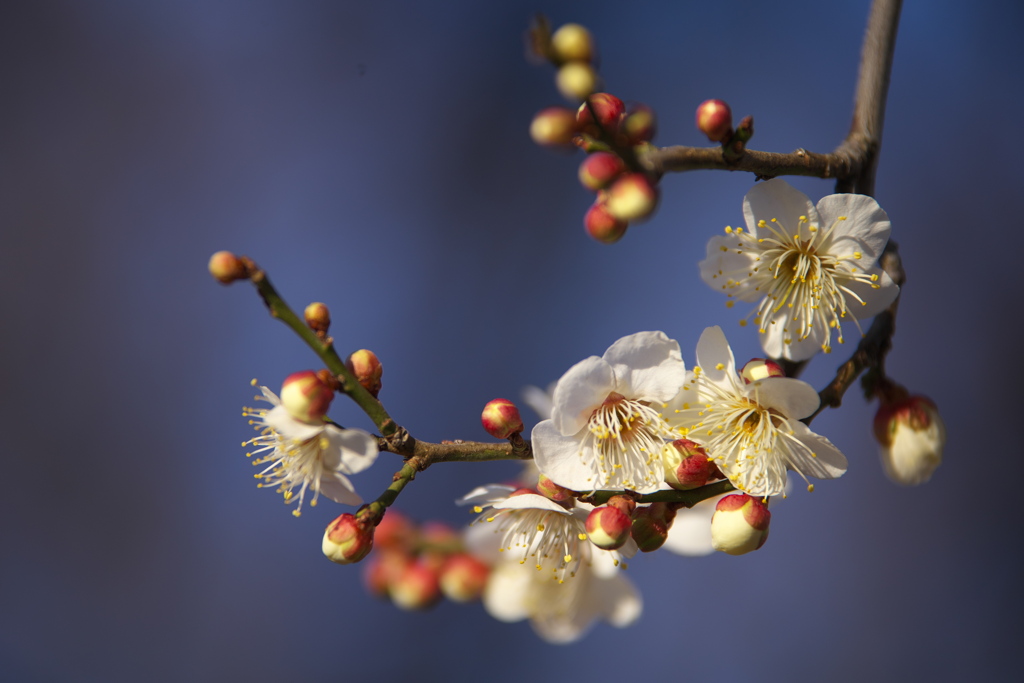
607,431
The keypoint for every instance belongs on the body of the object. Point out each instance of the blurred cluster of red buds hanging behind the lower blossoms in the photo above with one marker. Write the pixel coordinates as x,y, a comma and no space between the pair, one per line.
414,567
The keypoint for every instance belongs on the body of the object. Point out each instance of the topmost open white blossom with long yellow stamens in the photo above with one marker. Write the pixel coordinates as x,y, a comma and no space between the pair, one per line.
812,269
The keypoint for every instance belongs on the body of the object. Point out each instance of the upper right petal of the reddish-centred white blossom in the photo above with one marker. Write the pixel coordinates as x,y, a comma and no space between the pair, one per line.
648,365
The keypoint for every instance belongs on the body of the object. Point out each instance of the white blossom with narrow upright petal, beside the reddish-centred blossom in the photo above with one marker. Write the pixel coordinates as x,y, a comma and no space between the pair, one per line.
752,432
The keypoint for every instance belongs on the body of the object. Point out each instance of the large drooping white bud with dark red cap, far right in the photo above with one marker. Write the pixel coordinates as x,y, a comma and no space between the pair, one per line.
913,437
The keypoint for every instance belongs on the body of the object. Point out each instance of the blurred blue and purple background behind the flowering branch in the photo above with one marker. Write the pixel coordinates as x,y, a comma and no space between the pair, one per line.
375,157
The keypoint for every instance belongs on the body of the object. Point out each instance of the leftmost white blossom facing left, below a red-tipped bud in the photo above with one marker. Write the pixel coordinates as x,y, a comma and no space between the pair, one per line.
300,456
